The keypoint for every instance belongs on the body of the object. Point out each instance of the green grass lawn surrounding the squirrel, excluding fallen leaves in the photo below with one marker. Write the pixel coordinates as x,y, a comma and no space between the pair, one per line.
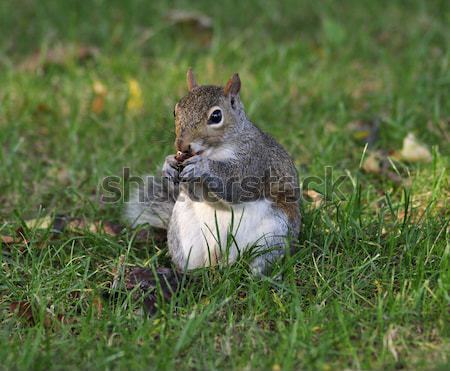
368,287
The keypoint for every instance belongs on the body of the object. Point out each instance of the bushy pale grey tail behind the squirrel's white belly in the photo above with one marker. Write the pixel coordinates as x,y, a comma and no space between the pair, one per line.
152,203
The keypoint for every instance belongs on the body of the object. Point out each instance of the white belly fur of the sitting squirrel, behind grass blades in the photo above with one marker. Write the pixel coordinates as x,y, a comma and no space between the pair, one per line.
203,230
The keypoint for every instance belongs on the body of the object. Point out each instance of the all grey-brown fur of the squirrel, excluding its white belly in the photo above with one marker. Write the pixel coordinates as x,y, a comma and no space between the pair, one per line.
256,155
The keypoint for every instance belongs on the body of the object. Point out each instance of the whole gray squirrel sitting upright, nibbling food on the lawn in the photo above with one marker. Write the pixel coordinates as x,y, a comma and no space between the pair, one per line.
230,187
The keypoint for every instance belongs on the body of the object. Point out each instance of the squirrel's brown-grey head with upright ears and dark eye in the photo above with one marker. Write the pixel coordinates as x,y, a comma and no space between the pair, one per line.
207,114
